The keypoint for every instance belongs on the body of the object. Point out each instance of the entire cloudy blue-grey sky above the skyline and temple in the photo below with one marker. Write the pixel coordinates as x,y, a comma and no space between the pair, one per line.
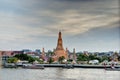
86,25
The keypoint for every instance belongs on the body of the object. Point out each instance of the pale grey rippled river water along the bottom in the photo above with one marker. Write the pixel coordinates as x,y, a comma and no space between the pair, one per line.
58,74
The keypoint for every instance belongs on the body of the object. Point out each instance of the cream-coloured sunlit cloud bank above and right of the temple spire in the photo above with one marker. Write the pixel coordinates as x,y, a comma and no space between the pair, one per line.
74,22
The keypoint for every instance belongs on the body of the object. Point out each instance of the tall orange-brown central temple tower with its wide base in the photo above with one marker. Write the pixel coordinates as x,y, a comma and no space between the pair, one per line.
59,51
